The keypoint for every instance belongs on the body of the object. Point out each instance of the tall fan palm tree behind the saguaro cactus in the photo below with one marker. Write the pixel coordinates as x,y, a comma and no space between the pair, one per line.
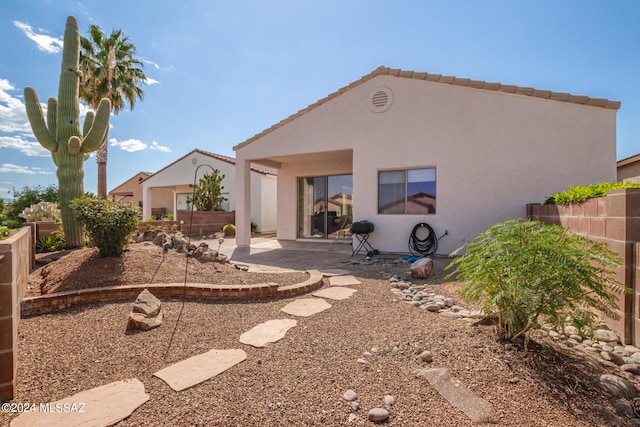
109,70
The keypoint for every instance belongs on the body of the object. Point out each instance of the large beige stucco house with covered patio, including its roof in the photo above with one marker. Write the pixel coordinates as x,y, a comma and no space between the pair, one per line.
410,147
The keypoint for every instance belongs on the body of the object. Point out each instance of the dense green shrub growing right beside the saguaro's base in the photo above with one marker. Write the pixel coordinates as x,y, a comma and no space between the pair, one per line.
108,224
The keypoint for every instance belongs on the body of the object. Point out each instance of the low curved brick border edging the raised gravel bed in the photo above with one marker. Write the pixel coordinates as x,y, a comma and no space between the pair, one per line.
51,303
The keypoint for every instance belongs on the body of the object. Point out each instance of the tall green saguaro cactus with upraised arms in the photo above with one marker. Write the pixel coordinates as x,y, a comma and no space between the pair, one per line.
61,132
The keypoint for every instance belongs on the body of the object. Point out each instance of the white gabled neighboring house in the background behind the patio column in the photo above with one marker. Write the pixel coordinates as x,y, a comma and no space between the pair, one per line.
175,178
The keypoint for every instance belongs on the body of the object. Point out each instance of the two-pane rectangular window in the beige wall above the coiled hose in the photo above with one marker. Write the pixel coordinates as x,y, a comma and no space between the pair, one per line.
411,191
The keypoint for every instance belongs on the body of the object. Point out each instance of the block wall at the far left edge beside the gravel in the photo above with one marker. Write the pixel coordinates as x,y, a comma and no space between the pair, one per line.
15,262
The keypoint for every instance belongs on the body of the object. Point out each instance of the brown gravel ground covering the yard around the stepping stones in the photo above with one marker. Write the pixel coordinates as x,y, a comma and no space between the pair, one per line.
300,380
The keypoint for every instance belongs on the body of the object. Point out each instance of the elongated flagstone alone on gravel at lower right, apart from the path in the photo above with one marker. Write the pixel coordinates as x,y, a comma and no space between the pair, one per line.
474,407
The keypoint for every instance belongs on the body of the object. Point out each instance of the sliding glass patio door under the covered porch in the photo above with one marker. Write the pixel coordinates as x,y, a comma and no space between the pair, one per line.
325,206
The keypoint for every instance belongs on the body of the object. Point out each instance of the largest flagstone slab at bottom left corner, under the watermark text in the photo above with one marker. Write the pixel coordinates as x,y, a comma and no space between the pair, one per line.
101,406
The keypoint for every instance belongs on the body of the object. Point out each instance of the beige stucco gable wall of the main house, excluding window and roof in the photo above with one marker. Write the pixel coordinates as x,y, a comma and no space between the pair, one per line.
494,152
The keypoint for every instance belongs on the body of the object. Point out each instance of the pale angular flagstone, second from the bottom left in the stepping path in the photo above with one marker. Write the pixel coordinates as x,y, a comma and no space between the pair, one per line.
202,367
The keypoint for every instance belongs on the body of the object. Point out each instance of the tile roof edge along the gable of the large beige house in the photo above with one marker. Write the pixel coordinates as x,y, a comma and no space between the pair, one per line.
439,78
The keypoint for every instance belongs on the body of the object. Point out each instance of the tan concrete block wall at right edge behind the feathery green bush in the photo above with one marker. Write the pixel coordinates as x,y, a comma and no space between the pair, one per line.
614,220
